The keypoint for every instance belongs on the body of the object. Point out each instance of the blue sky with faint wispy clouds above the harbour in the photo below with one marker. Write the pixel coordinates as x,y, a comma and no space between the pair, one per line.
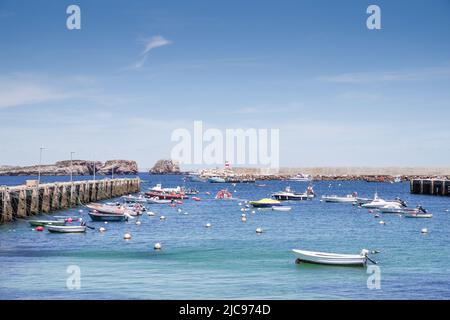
341,95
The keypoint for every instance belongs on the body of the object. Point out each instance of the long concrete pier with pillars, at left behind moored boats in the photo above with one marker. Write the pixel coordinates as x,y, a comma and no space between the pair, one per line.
23,201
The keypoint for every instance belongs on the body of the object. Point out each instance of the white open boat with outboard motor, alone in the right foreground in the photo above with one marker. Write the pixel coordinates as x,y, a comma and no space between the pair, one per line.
332,258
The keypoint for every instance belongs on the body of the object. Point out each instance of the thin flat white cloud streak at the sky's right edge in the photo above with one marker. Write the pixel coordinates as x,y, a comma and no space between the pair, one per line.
424,74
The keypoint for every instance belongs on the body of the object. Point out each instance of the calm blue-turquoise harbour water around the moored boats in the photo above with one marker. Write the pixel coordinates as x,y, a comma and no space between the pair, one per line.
229,260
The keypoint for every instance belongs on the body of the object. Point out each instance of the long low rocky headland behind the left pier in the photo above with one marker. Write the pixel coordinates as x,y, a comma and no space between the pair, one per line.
79,167
